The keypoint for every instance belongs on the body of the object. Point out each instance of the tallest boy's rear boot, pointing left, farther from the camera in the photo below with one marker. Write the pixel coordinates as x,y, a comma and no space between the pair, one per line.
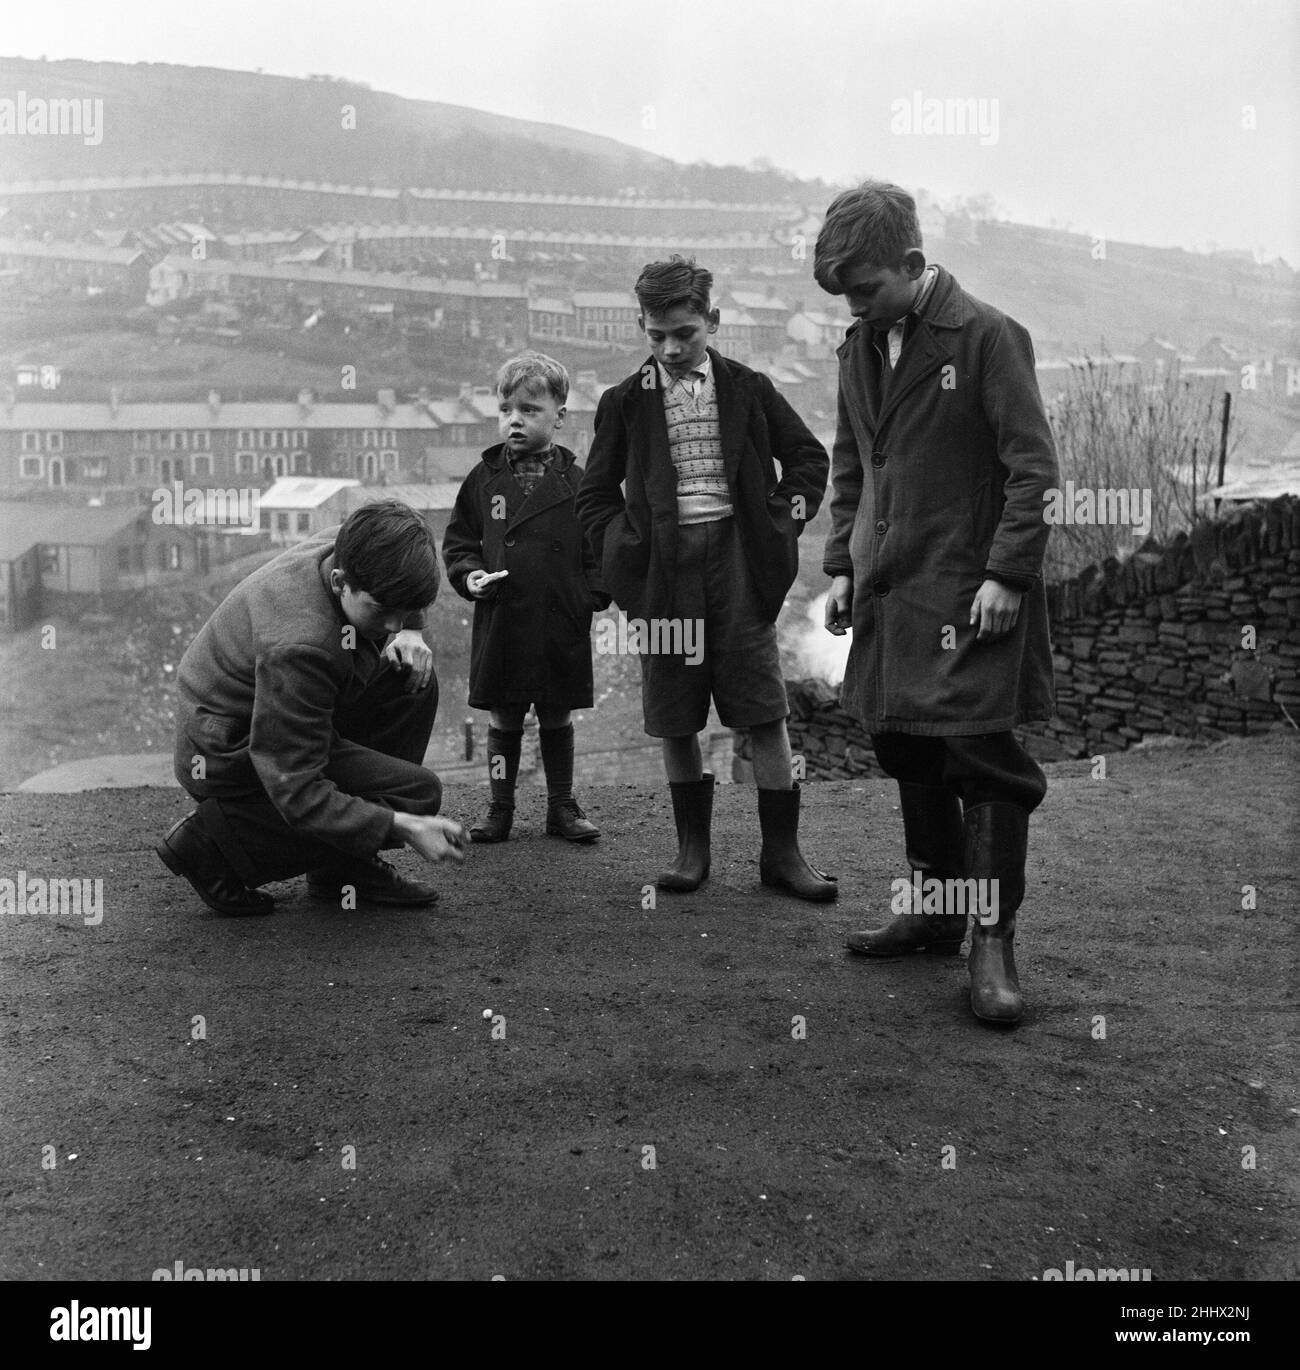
932,830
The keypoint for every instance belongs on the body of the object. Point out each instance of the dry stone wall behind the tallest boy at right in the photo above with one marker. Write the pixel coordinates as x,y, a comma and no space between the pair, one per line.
1198,639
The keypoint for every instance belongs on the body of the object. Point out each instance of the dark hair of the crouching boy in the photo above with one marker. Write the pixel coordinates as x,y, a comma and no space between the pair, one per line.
390,551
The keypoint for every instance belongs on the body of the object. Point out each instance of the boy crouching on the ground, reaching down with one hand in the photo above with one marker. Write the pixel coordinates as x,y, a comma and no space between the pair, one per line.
303,736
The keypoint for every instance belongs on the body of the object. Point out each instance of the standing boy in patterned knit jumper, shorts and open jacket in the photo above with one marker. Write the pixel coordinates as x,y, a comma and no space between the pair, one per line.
708,536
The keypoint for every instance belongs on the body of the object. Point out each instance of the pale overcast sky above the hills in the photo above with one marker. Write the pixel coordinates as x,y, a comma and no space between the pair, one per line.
1125,119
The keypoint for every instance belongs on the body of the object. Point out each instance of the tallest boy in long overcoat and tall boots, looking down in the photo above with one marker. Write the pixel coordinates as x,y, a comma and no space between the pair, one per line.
942,461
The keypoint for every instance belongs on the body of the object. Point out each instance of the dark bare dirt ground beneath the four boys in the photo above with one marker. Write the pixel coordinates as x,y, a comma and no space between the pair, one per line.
672,1028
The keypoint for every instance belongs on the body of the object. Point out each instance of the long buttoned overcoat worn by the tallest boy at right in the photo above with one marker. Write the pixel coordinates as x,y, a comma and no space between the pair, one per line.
938,484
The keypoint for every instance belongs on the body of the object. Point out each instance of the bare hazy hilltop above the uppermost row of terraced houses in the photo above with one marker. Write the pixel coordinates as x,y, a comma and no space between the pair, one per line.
158,119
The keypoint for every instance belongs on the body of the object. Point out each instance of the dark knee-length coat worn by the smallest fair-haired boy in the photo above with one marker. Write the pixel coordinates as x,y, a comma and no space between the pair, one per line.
532,642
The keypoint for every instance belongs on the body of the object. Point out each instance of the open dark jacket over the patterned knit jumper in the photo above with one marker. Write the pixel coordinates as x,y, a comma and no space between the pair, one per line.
635,538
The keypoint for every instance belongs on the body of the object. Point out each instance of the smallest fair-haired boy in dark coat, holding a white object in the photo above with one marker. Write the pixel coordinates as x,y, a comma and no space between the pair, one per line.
532,627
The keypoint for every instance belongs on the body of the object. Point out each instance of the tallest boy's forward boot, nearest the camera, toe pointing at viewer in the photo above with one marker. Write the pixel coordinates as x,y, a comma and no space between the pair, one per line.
997,840
